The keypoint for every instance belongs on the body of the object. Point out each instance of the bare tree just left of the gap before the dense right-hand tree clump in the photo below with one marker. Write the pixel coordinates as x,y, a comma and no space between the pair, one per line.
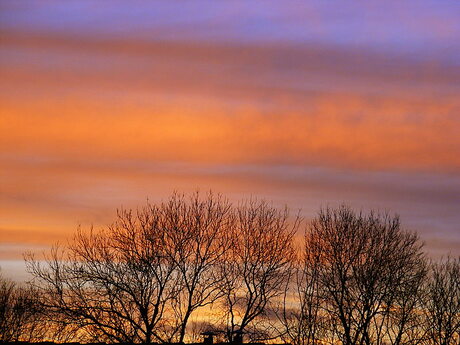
256,267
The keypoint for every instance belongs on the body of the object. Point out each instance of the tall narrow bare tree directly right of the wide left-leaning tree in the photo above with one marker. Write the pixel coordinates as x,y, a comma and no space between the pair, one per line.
196,239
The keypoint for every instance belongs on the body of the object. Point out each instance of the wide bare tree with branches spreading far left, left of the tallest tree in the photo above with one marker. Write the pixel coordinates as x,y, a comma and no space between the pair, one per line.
114,285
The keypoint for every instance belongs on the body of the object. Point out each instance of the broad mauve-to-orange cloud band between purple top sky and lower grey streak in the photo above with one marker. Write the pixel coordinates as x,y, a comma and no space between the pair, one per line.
196,102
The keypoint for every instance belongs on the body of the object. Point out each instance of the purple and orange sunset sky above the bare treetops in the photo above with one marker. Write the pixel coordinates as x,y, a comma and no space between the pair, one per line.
105,104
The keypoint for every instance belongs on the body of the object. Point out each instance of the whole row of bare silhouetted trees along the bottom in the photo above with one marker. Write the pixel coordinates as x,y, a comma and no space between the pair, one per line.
169,271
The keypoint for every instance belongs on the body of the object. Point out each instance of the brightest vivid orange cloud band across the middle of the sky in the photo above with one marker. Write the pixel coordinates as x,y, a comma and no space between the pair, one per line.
339,132
